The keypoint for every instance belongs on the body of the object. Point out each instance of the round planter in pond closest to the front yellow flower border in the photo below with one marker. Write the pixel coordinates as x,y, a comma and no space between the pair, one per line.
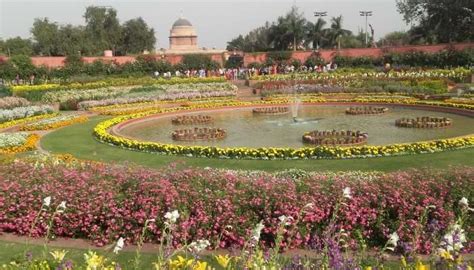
333,137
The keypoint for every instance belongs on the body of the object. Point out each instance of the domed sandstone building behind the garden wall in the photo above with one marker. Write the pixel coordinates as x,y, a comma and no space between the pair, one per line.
183,36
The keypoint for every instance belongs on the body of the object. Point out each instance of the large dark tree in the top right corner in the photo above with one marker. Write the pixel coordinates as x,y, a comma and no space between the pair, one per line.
439,20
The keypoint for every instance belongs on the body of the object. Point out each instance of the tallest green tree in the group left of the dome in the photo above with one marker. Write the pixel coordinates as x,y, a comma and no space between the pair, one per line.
102,28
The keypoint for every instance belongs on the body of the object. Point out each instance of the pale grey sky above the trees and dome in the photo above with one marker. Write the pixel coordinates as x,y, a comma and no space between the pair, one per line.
216,21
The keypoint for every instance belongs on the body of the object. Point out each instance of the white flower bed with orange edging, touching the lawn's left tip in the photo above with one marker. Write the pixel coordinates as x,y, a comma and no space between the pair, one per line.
12,143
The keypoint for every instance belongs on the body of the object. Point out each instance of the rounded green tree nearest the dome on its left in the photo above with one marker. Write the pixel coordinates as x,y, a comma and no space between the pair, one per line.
137,36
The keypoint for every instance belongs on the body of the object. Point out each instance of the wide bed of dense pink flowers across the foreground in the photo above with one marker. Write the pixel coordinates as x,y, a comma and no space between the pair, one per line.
105,202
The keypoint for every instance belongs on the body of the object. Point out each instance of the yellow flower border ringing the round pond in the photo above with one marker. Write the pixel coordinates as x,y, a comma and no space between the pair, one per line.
318,152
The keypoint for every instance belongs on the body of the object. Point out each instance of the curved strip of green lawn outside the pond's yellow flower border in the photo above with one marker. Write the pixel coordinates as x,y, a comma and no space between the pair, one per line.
78,141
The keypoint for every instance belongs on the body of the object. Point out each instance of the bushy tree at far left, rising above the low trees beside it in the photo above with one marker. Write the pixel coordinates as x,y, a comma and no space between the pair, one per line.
45,34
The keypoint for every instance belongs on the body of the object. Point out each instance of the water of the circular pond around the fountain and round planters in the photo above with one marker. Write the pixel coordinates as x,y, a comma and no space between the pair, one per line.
246,129
